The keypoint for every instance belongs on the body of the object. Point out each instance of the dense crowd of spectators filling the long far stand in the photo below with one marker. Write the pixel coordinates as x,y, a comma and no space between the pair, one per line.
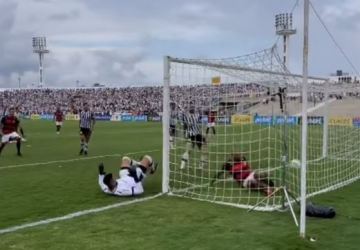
134,100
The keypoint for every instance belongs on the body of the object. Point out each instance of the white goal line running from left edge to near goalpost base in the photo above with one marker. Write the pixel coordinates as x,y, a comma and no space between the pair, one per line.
76,214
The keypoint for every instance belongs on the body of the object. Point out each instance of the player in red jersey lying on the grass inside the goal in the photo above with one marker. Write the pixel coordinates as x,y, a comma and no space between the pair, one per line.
241,171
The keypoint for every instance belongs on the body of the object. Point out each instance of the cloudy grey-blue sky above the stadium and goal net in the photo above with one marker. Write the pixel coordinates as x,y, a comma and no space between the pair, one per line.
123,42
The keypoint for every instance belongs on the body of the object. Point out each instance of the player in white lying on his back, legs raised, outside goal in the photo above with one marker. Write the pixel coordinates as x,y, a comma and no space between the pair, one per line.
131,176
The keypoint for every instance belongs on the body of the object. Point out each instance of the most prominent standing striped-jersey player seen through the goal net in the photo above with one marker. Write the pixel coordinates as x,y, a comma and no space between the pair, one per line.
195,138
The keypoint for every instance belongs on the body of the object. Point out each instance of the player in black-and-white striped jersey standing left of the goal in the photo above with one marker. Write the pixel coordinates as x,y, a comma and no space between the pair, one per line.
86,124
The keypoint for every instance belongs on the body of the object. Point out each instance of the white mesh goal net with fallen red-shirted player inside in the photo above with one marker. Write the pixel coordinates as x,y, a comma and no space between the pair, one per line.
250,105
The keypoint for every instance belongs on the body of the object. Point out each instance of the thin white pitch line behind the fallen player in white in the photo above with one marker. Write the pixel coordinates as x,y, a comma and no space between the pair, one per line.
75,159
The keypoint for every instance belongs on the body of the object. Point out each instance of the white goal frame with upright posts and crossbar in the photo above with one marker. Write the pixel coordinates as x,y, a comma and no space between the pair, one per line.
304,137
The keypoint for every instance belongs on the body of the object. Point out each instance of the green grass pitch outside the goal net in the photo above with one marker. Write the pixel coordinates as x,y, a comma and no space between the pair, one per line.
35,192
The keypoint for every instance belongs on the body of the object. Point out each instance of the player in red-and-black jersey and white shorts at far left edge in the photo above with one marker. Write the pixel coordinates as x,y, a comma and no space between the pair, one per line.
9,128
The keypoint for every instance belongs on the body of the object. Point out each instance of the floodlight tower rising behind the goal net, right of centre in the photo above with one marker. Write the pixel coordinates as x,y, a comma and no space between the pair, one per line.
283,25
